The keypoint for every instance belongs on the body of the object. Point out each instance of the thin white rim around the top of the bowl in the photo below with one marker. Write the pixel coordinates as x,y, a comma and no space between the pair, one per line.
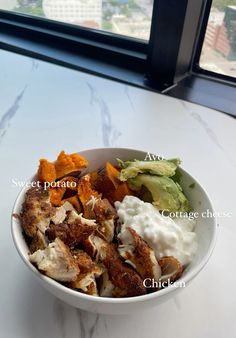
105,300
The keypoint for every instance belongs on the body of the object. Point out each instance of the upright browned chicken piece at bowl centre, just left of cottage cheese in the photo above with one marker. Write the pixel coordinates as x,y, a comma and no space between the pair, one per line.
105,215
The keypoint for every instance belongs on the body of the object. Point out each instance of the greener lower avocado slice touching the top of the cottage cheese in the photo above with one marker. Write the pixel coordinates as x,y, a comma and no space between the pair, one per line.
166,194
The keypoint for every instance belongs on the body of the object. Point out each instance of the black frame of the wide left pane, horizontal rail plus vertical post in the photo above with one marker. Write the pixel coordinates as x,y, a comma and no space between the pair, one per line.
123,58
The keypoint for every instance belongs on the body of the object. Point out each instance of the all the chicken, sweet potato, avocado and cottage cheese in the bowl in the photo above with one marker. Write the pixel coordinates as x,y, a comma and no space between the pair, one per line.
108,232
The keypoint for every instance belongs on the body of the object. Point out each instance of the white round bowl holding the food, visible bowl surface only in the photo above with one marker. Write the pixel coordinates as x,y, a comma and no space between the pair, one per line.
205,228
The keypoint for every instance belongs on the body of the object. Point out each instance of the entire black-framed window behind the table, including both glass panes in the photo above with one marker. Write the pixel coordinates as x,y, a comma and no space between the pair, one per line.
153,44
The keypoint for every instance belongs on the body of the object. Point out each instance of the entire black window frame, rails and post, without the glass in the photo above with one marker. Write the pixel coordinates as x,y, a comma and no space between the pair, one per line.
168,63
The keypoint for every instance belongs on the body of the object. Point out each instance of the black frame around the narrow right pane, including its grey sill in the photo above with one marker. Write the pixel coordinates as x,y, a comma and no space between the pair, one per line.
201,86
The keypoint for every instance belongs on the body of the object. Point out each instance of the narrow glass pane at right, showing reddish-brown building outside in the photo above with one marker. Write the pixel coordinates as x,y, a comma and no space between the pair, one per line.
219,49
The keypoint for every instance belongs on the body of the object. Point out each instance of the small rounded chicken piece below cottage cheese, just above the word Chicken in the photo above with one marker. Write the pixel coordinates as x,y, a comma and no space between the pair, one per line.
171,269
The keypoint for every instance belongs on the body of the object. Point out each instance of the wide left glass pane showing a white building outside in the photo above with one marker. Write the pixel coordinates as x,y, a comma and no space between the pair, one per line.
126,17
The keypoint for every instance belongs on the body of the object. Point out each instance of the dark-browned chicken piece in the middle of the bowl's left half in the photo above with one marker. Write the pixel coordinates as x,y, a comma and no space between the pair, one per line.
71,233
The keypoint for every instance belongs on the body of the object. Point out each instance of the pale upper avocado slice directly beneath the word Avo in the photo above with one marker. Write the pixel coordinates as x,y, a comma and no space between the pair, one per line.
131,169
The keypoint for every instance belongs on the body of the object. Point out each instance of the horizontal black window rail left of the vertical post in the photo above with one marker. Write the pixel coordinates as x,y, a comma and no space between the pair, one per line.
76,47
